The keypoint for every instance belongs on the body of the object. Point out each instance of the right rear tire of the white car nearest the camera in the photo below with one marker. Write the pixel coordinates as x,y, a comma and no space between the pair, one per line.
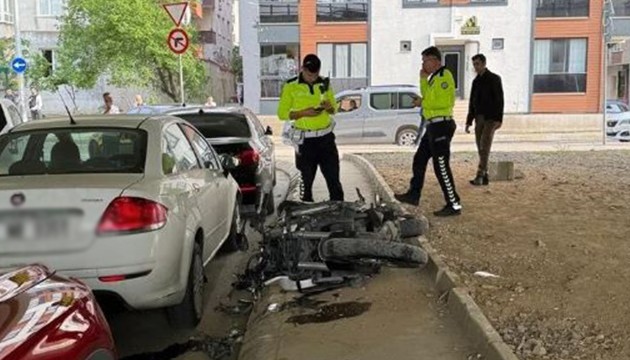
188,313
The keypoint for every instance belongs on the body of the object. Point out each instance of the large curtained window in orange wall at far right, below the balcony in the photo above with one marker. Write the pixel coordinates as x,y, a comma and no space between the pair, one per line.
560,65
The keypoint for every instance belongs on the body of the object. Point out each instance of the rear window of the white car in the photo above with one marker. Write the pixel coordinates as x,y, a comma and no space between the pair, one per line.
72,151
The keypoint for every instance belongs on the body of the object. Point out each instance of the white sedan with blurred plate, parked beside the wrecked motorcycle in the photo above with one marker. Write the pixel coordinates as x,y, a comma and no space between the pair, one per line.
133,206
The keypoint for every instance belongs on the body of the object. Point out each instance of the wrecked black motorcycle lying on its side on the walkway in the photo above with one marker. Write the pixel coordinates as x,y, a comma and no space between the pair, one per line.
324,246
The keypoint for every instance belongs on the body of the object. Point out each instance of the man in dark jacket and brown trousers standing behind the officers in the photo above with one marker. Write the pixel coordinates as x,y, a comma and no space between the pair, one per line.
486,109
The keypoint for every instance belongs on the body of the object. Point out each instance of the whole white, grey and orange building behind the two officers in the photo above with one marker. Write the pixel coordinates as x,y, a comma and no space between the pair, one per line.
549,52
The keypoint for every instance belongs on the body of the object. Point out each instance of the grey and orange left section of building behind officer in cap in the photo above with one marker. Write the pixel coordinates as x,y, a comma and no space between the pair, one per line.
276,34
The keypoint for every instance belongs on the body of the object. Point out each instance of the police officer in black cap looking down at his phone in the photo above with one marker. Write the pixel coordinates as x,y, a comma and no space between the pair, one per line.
308,99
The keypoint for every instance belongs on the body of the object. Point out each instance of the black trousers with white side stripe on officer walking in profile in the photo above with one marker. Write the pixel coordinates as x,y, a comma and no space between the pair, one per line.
436,144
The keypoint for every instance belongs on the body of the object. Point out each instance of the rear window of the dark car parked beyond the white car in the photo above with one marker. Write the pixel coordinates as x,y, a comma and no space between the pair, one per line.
216,125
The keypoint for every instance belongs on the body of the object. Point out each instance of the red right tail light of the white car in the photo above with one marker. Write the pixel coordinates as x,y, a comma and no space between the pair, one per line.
131,214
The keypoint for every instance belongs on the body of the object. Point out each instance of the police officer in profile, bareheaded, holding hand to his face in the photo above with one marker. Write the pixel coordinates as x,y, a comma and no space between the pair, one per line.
438,99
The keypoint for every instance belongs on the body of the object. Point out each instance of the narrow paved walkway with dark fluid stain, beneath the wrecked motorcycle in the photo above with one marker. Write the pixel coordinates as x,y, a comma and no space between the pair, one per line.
395,315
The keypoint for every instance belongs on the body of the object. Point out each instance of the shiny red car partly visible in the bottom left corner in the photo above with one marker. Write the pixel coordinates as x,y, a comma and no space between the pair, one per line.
44,316
